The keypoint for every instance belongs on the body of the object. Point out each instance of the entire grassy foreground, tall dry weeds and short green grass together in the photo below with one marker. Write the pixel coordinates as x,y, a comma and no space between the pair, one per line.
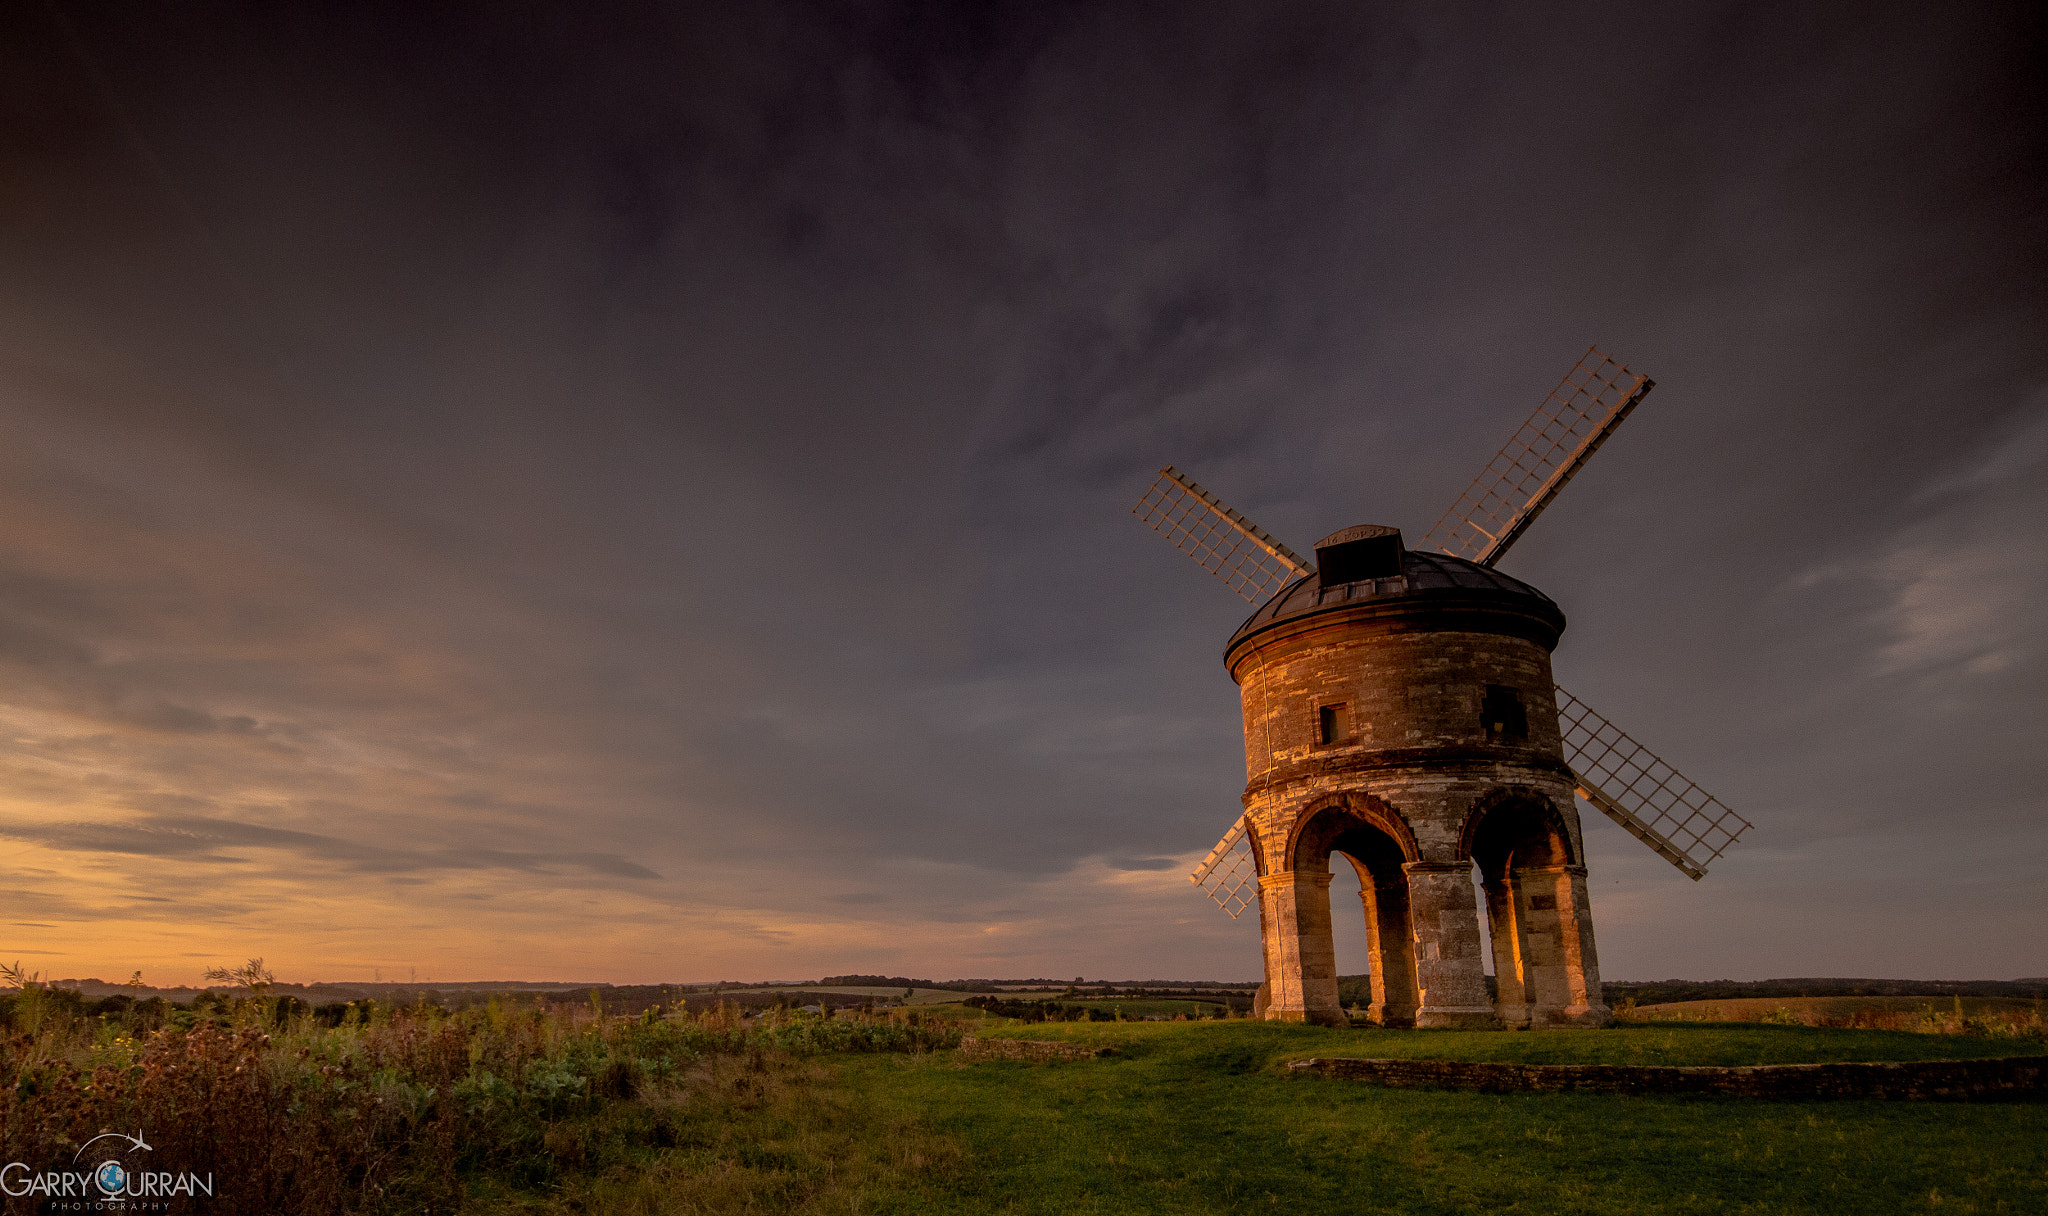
552,1111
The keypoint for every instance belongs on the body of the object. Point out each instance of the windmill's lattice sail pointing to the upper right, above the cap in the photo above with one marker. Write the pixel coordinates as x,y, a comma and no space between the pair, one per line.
1551,447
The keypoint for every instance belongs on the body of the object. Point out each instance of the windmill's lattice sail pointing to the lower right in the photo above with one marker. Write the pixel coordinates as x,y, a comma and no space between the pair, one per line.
1648,797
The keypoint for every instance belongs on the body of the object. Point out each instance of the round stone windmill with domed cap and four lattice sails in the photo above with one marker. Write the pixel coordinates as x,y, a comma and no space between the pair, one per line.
1400,711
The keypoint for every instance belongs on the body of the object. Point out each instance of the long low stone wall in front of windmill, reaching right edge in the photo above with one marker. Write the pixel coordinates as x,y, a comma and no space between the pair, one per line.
1918,1080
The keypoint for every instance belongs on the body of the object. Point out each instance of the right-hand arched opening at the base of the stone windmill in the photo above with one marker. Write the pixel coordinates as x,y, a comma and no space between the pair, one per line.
1537,912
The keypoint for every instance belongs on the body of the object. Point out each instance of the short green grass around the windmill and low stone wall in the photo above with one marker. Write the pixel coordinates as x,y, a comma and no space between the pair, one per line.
1201,1119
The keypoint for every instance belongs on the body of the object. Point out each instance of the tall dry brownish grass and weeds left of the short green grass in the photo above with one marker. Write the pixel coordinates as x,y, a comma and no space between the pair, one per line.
425,1111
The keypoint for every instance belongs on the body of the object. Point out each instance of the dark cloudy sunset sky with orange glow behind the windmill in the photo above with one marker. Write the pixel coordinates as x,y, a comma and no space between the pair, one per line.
642,492
